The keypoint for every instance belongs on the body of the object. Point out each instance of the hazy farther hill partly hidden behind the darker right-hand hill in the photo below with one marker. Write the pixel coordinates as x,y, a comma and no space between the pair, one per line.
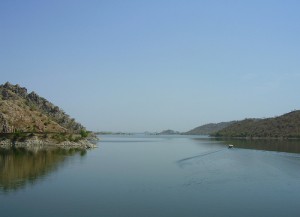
208,129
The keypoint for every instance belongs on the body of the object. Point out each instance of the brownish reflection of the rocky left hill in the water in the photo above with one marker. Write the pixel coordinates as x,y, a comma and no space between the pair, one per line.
19,167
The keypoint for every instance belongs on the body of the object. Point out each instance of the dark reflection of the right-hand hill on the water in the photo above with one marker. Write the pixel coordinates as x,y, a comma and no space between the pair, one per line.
287,145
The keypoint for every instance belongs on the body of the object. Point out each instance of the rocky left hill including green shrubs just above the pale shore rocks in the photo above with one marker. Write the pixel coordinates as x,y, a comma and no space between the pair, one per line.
23,116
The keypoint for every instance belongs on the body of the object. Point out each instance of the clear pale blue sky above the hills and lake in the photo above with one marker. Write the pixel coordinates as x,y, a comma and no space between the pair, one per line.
136,66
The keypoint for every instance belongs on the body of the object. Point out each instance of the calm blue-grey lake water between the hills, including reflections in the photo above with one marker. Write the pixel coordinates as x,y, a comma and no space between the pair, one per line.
154,176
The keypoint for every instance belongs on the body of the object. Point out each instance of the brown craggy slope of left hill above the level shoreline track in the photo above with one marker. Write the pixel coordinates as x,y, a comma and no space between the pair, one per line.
28,112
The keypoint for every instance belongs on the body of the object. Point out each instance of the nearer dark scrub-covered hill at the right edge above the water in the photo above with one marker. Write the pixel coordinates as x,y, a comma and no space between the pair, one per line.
285,126
